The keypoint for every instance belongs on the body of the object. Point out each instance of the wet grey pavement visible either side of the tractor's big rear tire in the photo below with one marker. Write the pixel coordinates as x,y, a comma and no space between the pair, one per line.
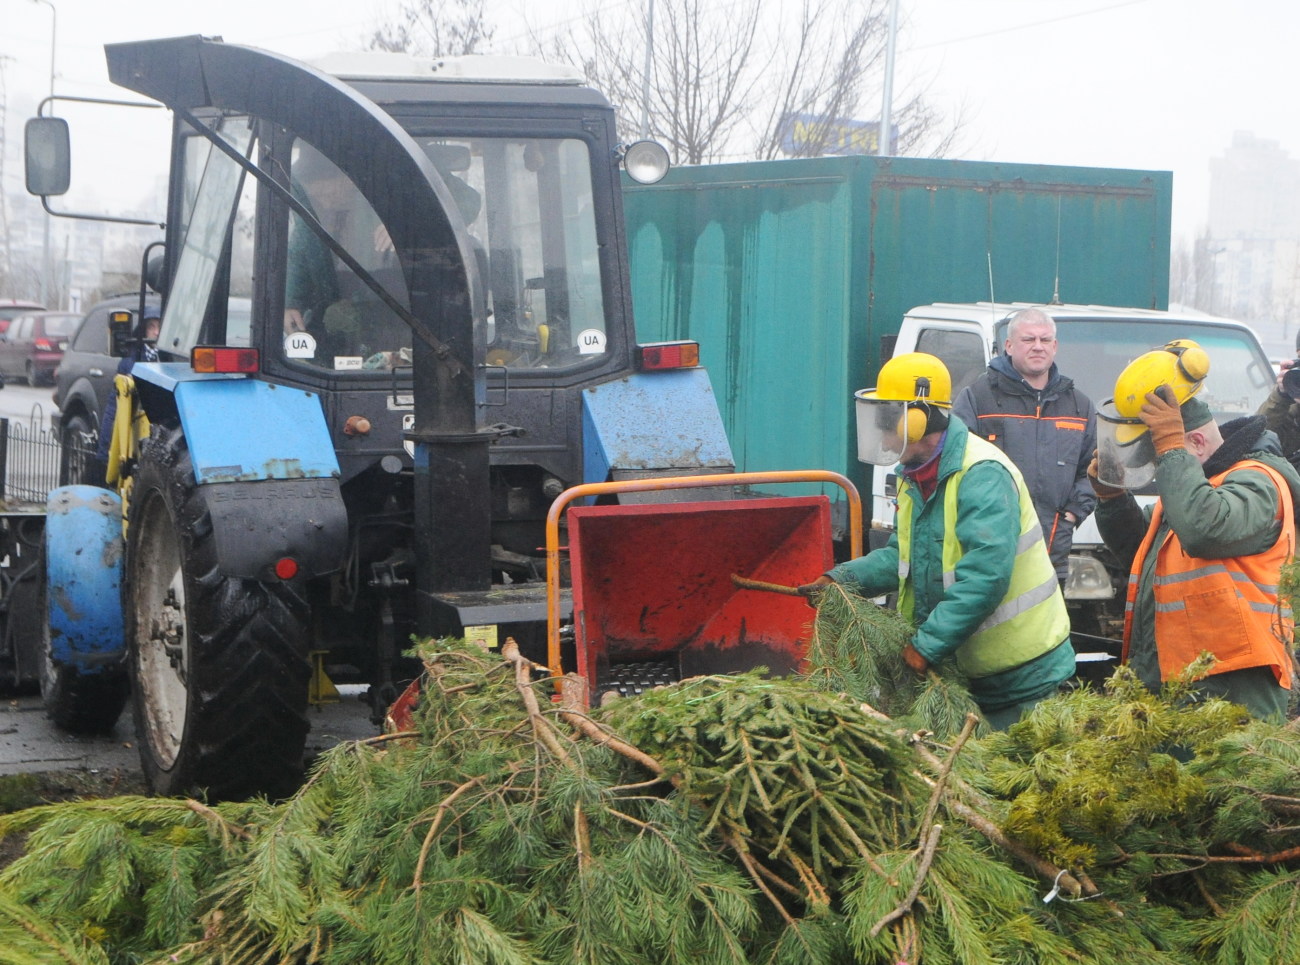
29,743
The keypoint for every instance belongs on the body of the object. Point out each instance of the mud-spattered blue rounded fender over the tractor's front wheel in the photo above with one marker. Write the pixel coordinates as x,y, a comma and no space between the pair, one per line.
84,578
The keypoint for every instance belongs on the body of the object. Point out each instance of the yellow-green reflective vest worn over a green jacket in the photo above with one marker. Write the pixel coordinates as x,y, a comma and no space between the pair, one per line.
1032,618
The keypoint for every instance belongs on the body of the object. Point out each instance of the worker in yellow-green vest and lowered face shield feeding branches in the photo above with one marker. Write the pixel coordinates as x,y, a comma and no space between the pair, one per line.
968,557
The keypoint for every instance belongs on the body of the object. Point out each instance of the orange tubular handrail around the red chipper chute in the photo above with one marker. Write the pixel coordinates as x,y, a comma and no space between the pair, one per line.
735,479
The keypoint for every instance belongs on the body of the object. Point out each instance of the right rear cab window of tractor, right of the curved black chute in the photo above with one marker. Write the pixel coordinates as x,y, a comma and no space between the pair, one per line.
527,204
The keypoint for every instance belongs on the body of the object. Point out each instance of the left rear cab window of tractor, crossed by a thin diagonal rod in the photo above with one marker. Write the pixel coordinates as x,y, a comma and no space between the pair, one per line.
332,318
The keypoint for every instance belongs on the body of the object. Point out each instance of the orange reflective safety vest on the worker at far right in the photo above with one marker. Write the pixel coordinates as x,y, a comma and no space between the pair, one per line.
1227,607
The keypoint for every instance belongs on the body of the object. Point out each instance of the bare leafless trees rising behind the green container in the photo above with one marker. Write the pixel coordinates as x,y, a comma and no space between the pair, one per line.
729,80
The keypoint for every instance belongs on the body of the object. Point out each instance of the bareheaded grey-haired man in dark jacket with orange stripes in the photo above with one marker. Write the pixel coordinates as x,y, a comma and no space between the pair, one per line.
1028,409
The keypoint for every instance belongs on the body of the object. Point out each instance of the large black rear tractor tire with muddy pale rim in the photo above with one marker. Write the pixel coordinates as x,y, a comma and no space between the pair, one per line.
219,664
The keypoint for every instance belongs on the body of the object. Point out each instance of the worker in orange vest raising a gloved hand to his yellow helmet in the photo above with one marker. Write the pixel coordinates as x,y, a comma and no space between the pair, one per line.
1206,559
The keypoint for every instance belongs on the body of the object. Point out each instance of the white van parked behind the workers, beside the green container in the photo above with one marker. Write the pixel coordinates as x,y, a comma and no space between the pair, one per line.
1094,347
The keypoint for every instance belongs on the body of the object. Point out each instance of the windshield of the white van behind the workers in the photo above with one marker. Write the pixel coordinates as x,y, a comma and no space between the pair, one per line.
1094,357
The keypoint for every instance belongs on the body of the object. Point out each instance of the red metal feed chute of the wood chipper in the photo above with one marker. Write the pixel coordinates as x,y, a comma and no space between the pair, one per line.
653,583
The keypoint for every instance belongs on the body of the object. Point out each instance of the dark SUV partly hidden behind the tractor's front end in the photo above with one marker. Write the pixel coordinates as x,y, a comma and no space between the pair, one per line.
85,379
